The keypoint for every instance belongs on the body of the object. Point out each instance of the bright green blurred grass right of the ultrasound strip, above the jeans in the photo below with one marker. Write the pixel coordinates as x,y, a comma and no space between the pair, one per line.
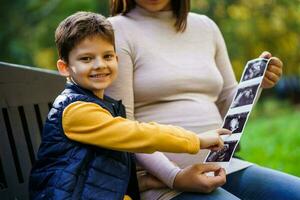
272,136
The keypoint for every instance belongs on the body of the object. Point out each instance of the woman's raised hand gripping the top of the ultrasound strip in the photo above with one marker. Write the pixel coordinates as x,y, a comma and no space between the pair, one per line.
274,70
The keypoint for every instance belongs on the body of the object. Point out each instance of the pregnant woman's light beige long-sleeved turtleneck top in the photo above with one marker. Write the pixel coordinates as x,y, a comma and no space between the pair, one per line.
169,77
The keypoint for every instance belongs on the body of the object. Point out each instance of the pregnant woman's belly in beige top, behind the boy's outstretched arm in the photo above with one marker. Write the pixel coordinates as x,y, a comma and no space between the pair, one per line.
195,115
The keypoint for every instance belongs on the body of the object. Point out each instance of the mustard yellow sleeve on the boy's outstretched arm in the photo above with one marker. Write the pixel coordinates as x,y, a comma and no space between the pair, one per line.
91,124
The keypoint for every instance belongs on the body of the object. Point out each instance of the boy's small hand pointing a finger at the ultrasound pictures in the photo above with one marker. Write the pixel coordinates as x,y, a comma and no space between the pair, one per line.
212,140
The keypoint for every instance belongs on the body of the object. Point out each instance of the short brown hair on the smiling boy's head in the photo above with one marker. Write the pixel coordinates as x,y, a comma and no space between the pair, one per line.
79,26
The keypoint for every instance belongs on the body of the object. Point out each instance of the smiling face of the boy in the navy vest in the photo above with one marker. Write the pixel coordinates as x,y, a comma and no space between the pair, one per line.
93,64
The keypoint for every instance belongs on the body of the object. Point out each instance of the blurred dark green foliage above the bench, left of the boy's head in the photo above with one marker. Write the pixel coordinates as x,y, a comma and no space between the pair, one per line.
27,28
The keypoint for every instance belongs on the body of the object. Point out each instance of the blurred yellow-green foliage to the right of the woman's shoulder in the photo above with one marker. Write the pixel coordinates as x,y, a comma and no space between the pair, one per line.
250,27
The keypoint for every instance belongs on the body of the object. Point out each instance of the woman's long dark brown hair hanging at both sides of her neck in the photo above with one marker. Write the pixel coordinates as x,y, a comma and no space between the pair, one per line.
180,10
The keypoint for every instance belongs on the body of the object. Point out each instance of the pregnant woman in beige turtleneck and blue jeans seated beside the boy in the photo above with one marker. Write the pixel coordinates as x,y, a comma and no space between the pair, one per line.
174,69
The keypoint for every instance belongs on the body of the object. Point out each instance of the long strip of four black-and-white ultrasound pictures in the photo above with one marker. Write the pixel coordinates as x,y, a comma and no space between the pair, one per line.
247,93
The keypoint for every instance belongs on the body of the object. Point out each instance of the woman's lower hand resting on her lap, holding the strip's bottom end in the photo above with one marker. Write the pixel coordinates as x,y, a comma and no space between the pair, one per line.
194,179
